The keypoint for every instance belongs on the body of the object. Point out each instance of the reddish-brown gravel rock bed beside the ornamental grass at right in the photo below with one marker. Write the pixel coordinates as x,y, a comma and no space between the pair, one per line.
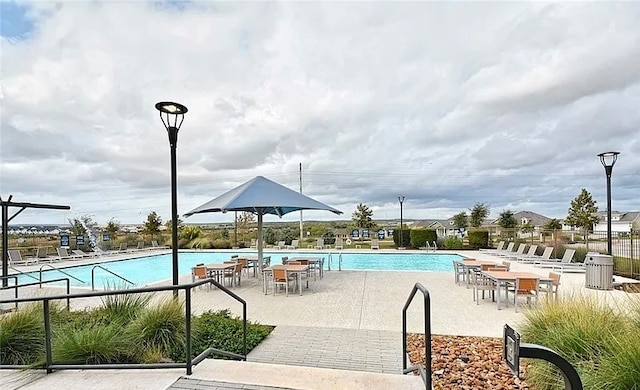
463,362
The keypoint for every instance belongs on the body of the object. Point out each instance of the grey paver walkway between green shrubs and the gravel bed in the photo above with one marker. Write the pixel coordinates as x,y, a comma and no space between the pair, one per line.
345,349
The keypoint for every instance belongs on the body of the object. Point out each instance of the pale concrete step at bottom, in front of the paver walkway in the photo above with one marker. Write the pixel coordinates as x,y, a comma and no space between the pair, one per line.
251,375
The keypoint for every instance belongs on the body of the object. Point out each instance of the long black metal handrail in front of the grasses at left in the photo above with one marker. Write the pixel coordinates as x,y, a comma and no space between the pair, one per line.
49,366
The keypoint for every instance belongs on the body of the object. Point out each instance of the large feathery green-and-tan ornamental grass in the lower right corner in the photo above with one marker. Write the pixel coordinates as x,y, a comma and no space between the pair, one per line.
599,340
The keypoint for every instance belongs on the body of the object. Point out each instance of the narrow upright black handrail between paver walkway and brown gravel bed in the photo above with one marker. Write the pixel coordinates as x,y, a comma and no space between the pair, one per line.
425,372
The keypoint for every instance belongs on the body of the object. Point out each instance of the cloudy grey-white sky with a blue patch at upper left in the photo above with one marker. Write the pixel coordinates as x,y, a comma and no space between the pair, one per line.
447,104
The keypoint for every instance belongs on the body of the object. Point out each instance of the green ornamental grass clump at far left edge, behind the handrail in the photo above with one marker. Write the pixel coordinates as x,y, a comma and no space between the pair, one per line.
22,336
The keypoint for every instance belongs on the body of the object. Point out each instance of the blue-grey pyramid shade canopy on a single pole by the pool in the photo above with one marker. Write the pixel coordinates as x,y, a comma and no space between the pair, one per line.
261,196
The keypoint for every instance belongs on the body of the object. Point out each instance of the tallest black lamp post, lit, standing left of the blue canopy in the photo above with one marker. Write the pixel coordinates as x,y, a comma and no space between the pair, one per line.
170,112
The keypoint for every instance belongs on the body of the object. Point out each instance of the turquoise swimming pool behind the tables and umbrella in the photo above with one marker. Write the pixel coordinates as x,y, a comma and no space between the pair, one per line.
154,268
